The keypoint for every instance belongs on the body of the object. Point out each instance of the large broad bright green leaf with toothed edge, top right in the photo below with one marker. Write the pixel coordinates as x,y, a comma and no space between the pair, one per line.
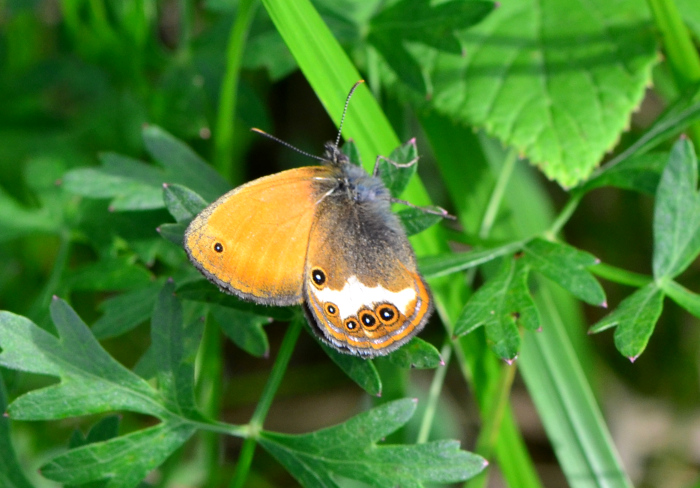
561,91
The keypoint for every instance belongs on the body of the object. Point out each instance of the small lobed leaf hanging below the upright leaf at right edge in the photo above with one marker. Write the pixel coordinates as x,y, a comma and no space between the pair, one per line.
635,318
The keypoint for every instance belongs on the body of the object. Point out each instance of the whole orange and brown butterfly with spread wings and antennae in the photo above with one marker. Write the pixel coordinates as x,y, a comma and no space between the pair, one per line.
323,236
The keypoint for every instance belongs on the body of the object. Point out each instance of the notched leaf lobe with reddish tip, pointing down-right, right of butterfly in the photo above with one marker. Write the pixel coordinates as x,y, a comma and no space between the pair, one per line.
566,266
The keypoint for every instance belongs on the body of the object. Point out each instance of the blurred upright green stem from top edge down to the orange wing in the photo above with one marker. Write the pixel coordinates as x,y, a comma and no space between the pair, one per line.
228,95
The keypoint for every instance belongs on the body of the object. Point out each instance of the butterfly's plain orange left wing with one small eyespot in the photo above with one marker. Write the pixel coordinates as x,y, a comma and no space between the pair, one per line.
253,241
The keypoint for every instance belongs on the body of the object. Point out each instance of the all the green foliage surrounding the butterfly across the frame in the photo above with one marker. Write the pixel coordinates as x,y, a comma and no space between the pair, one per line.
111,117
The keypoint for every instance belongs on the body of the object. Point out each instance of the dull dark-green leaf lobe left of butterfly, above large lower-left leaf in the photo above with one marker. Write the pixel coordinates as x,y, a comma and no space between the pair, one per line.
124,312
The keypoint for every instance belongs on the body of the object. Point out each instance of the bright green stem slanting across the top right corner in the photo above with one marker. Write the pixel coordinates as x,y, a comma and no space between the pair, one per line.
680,51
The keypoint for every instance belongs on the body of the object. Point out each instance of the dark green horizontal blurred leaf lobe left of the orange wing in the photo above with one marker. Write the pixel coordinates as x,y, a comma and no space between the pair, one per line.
119,273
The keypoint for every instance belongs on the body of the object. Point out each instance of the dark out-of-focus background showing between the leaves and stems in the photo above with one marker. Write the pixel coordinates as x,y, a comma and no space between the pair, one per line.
82,77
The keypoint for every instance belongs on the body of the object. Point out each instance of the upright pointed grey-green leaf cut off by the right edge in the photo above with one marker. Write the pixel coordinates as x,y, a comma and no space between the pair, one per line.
677,213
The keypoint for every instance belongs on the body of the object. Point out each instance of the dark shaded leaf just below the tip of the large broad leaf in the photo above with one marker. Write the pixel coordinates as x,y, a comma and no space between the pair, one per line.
638,173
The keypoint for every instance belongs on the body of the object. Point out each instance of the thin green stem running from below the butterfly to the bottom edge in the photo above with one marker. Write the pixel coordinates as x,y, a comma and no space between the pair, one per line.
273,383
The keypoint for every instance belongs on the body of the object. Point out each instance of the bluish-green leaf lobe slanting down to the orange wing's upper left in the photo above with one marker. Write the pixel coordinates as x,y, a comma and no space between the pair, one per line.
182,165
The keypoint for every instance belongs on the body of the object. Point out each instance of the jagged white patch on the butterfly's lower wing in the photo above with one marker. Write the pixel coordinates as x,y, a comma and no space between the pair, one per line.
355,296
